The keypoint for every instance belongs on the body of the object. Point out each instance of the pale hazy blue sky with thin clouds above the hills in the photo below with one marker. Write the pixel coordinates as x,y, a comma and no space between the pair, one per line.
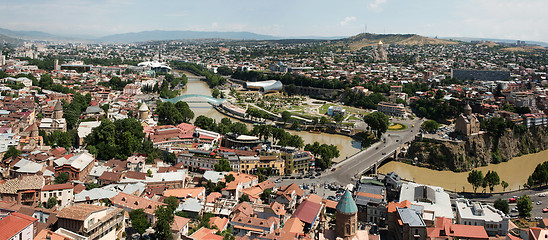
508,19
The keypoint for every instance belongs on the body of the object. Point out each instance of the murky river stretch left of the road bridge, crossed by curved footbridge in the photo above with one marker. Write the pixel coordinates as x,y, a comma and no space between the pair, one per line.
346,145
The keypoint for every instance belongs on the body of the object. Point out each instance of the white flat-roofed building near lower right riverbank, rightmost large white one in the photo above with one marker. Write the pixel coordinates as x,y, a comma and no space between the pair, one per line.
471,213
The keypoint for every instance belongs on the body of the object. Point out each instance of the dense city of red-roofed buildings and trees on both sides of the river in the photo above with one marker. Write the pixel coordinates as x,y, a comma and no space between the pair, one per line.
98,142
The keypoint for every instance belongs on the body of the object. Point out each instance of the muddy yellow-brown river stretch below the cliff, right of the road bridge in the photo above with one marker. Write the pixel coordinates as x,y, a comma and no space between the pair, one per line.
515,172
